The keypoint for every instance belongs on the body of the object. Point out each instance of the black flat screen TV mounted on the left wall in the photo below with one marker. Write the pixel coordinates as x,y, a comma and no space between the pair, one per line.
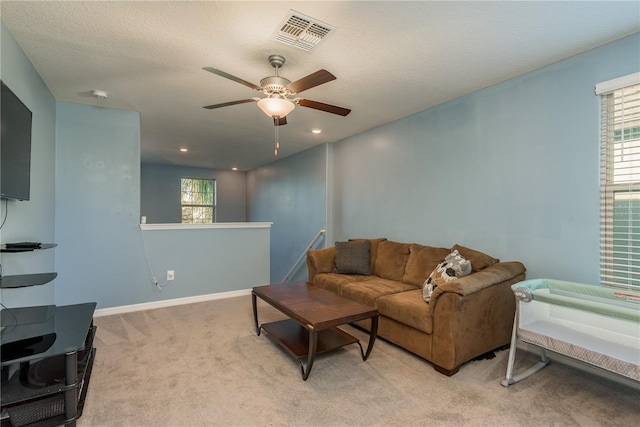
15,146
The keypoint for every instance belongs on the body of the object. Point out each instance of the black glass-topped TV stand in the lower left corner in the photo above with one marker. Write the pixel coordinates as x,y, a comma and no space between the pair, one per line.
46,385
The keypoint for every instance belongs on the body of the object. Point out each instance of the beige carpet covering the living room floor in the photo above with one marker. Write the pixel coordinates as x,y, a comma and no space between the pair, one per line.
203,365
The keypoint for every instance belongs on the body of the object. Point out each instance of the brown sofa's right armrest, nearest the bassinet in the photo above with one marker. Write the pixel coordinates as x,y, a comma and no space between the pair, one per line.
474,314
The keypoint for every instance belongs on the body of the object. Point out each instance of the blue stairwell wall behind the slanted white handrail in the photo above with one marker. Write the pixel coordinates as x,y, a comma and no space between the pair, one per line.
291,193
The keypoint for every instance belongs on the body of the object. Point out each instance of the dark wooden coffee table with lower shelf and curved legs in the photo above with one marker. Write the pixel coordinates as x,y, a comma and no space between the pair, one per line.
314,314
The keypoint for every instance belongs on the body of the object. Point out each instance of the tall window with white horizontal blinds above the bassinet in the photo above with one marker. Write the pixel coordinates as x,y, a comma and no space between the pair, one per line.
620,183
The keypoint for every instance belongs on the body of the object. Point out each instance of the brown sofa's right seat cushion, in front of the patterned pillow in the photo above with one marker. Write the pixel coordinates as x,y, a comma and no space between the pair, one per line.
407,308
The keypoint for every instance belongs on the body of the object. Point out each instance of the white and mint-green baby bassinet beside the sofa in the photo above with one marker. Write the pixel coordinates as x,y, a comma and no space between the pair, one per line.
598,326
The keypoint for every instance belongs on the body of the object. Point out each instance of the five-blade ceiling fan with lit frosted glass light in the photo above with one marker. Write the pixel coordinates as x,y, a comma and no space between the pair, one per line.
280,91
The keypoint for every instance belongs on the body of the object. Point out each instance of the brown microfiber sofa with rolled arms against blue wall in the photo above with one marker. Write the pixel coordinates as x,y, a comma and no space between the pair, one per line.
465,318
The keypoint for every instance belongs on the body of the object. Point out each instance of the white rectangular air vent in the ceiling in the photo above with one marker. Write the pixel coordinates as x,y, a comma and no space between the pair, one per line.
302,31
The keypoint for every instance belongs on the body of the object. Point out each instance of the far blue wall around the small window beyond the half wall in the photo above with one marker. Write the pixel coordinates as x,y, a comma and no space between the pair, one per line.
160,192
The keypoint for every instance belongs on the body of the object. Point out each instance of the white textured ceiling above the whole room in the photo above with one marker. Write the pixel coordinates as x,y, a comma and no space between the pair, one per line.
391,59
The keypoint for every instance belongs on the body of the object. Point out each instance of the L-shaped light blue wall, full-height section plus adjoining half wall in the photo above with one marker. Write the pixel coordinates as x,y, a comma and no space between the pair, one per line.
101,254
